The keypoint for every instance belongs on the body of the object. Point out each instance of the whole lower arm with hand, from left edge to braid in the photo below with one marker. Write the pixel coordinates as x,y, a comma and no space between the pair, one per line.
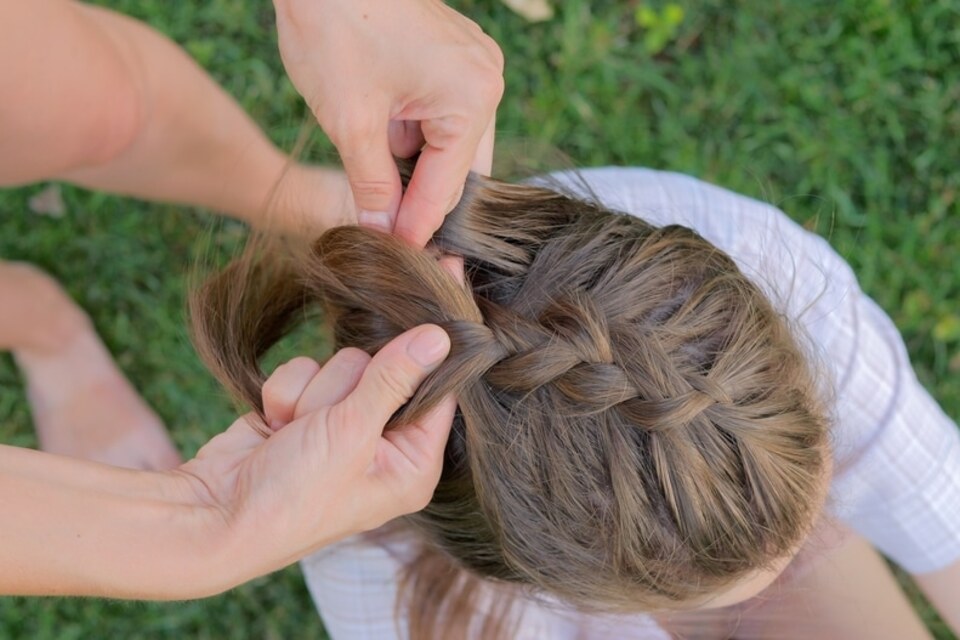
245,505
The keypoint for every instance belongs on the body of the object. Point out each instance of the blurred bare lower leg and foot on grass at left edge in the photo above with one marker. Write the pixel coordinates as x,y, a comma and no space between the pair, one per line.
82,405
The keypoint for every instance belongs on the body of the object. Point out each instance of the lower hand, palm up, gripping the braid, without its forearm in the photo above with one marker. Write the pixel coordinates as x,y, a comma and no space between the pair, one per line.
328,470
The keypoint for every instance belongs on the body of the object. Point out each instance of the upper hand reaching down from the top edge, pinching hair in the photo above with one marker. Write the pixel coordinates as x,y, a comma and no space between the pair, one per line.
386,79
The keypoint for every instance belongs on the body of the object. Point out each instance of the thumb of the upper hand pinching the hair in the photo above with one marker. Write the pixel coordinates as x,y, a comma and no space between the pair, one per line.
372,173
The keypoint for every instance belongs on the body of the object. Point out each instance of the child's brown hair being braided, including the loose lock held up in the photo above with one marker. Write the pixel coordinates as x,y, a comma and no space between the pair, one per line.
637,429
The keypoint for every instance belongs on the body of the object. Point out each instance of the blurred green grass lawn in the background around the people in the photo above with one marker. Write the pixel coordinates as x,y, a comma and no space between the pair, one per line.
843,113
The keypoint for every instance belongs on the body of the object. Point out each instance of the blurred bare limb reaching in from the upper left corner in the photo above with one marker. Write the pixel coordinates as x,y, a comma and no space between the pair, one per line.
111,104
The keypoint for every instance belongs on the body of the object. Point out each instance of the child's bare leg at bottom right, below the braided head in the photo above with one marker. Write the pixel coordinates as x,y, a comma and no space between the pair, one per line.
837,591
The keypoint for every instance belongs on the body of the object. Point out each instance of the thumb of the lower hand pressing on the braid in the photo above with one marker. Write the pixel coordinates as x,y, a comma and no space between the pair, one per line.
391,379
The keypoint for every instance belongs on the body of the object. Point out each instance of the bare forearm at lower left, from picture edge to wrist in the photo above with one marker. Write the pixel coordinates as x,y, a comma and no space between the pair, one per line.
73,527
